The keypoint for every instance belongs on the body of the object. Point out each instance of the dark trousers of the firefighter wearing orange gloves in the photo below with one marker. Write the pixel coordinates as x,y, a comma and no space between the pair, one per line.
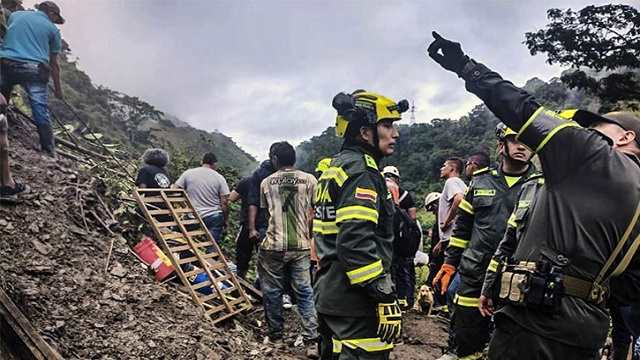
471,330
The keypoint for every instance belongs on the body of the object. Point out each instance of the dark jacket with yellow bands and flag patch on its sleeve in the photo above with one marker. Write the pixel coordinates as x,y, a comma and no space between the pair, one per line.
353,230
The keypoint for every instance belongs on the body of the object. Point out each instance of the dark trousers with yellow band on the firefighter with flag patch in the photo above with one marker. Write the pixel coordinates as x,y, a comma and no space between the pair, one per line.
351,338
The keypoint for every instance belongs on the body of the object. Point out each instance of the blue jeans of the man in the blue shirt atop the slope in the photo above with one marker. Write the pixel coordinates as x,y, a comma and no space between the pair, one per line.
28,75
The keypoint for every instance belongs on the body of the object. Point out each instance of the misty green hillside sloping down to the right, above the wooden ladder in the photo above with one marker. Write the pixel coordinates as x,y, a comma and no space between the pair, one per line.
128,125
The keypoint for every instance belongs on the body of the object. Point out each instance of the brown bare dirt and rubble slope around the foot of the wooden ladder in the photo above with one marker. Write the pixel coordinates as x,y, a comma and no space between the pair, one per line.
53,267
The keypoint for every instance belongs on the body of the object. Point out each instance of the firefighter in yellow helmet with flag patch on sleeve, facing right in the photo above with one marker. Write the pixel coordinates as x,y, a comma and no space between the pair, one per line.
358,314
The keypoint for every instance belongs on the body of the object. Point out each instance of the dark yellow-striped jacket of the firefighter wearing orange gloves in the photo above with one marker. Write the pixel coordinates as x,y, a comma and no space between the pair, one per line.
479,227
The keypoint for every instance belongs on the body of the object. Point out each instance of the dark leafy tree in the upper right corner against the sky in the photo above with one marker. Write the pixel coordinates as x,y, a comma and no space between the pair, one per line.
605,40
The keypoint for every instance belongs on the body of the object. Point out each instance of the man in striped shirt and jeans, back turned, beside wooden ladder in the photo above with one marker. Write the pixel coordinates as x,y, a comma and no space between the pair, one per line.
287,196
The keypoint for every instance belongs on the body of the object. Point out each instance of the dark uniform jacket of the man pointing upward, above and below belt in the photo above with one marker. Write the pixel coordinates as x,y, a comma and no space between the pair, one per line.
590,198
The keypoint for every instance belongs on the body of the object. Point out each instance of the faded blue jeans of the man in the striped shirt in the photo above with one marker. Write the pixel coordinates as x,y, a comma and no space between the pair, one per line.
276,269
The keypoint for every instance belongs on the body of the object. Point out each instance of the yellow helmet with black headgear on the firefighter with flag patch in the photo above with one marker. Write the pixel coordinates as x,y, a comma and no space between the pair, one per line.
366,108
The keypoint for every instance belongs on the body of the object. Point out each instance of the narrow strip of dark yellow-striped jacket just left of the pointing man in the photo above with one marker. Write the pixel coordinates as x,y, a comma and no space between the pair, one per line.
516,226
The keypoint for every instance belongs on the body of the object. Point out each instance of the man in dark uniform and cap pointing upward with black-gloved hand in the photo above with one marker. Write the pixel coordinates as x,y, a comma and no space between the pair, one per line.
580,230
